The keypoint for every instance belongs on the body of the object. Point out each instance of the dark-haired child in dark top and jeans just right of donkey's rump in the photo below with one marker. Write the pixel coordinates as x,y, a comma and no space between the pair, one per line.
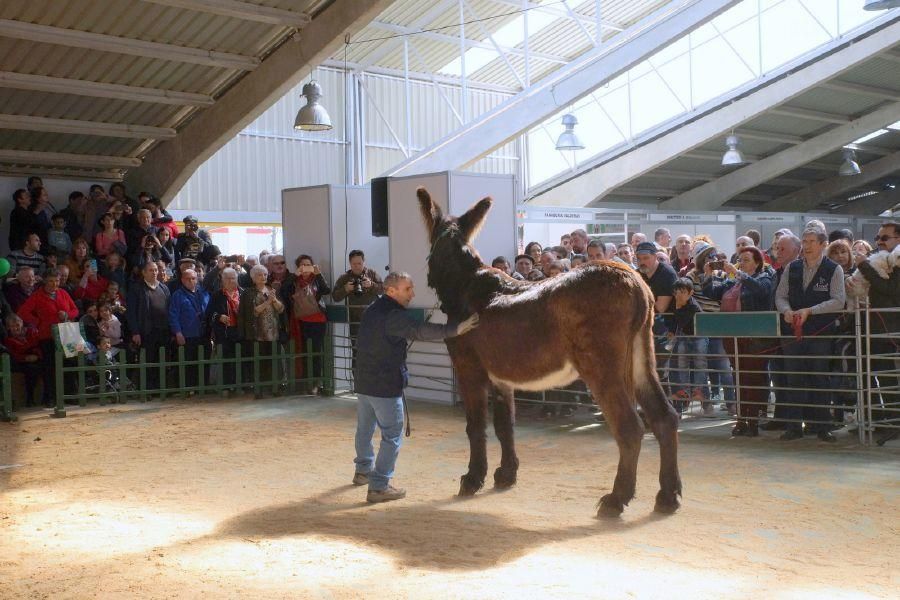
690,352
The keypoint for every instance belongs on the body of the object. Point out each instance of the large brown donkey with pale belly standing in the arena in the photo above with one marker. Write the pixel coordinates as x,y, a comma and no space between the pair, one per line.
593,322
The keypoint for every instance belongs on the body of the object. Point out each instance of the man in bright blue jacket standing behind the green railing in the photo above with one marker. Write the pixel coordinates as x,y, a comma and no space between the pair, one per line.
187,308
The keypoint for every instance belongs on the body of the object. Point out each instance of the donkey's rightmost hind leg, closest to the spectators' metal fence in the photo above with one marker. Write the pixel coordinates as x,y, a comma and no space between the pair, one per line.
663,421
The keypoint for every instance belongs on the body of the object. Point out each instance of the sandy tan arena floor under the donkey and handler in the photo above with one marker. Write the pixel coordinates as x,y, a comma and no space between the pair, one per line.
251,499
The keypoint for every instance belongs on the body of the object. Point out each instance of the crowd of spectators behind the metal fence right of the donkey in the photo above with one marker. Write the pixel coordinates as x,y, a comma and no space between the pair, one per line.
806,278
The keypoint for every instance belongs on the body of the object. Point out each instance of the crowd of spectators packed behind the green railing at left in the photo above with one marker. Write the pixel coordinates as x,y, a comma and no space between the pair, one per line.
120,267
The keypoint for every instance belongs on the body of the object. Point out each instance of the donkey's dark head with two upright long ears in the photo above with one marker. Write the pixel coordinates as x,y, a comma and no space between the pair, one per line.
452,259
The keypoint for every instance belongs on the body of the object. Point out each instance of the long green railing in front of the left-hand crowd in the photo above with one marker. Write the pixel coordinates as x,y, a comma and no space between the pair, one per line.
78,381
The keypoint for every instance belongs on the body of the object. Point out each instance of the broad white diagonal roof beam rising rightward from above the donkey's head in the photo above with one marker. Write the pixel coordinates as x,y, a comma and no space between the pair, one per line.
568,84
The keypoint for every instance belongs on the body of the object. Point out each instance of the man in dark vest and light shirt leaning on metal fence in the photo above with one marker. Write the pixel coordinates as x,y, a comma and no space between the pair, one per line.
810,288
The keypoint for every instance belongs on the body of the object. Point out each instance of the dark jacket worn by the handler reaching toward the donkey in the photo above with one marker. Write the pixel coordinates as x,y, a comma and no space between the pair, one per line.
381,347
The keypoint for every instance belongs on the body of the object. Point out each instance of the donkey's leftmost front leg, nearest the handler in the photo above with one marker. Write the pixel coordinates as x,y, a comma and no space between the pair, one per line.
473,384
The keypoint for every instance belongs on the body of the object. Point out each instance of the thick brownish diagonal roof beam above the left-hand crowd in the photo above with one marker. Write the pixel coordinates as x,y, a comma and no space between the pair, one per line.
168,165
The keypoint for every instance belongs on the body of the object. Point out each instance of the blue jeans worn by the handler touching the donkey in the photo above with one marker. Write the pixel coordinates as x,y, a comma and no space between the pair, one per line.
387,413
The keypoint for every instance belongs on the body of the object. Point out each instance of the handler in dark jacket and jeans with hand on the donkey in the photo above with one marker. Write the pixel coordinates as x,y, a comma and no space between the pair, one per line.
381,375
